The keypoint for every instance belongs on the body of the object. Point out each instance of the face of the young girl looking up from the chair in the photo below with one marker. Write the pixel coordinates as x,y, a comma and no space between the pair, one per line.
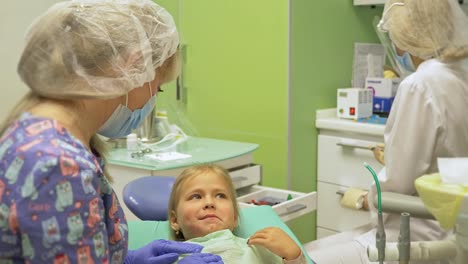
205,206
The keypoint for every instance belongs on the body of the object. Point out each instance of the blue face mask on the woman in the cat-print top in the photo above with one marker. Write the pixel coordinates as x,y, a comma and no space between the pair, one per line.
123,120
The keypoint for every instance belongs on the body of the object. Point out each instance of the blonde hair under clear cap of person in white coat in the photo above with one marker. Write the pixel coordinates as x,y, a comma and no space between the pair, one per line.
429,28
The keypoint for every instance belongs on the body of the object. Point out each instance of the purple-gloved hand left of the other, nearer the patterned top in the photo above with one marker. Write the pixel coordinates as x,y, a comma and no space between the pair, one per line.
161,252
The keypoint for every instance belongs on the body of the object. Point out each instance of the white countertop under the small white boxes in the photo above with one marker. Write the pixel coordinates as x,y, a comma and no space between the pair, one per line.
327,119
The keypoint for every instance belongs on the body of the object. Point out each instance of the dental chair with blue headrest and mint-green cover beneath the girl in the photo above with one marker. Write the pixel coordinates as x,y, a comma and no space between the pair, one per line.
148,197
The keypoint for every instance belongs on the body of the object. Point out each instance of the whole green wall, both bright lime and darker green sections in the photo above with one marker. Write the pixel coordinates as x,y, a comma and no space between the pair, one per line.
236,77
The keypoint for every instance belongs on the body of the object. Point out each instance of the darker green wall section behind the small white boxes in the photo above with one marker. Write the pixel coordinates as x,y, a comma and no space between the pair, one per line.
323,34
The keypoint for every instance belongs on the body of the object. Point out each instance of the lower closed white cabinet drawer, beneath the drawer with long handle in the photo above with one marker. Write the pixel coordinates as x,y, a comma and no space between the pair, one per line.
331,215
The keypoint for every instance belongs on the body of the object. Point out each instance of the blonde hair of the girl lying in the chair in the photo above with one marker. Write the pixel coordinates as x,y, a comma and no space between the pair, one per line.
189,173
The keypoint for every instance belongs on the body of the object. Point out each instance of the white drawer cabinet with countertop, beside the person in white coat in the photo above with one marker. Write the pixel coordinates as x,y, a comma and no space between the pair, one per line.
341,154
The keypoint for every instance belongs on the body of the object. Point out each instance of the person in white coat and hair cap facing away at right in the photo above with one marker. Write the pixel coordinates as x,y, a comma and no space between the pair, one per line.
429,116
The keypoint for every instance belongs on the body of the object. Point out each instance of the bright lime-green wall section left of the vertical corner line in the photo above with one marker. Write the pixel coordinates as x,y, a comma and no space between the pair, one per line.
236,75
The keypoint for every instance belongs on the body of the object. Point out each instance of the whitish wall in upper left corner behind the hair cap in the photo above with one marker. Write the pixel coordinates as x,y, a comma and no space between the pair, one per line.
15,17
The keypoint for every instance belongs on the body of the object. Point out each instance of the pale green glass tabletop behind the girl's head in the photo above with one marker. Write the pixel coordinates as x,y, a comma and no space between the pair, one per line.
202,150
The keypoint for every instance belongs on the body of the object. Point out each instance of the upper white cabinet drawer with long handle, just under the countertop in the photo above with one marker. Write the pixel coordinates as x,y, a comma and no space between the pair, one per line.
343,164
